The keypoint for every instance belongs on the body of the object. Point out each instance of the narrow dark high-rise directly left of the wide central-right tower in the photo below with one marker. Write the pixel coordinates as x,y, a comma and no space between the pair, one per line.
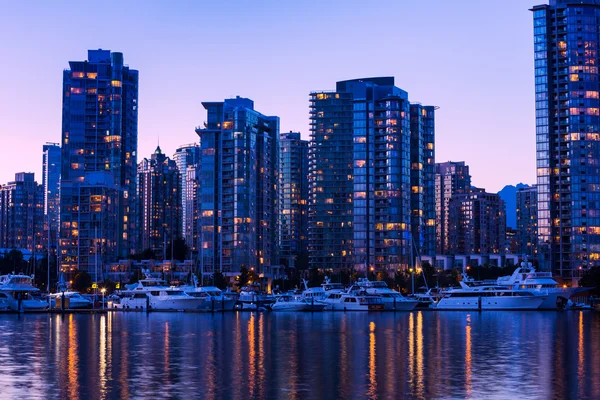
293,198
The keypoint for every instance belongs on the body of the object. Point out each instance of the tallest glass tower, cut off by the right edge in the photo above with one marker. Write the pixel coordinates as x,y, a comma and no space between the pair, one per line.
567,90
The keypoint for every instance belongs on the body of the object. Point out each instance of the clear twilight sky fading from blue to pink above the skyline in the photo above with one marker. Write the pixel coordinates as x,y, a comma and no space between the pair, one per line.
471,58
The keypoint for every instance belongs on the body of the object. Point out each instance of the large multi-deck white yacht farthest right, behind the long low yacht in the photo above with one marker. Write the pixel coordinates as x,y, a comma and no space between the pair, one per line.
526,277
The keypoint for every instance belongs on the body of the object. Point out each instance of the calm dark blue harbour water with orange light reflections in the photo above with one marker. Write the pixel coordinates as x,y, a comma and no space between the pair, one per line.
423,355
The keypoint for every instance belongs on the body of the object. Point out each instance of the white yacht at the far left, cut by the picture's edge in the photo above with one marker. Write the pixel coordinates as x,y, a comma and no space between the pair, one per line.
20,293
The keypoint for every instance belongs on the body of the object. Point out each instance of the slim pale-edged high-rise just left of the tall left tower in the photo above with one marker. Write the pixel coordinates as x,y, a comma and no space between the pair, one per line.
50,183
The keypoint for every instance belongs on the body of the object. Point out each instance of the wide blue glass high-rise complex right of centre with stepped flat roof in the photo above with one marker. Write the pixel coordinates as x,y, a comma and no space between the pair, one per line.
360,176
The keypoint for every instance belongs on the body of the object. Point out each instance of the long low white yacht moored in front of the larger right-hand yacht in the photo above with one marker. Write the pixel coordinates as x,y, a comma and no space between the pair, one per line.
489,298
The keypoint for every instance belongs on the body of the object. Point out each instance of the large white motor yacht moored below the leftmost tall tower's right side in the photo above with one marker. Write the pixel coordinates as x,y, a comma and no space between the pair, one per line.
163,299
